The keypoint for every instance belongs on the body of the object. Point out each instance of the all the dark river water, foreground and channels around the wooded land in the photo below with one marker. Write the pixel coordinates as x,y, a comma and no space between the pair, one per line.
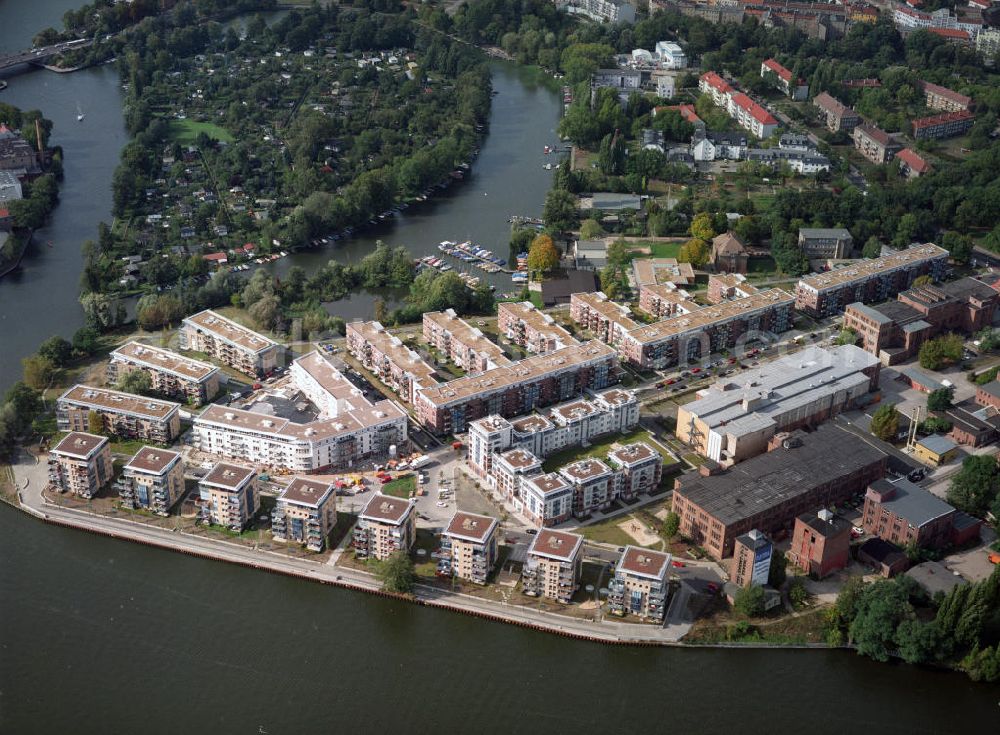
101,636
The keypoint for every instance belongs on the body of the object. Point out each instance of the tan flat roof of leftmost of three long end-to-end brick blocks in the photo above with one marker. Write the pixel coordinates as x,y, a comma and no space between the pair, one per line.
571,357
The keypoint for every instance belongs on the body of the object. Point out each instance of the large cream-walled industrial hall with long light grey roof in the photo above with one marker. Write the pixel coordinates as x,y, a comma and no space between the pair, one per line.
734,420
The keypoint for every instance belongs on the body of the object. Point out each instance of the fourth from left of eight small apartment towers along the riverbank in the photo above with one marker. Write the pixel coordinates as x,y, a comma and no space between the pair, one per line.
305,513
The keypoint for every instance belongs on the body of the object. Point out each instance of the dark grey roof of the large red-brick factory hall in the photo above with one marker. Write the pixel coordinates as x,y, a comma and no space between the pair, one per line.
774,478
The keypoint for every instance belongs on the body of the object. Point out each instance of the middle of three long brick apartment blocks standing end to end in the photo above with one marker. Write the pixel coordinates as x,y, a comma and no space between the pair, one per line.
688,337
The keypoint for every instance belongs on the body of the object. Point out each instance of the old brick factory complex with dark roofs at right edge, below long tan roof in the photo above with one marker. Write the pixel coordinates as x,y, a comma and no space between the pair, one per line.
894,331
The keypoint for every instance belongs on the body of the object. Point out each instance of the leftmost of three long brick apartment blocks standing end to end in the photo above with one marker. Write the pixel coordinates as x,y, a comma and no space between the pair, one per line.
539,380
